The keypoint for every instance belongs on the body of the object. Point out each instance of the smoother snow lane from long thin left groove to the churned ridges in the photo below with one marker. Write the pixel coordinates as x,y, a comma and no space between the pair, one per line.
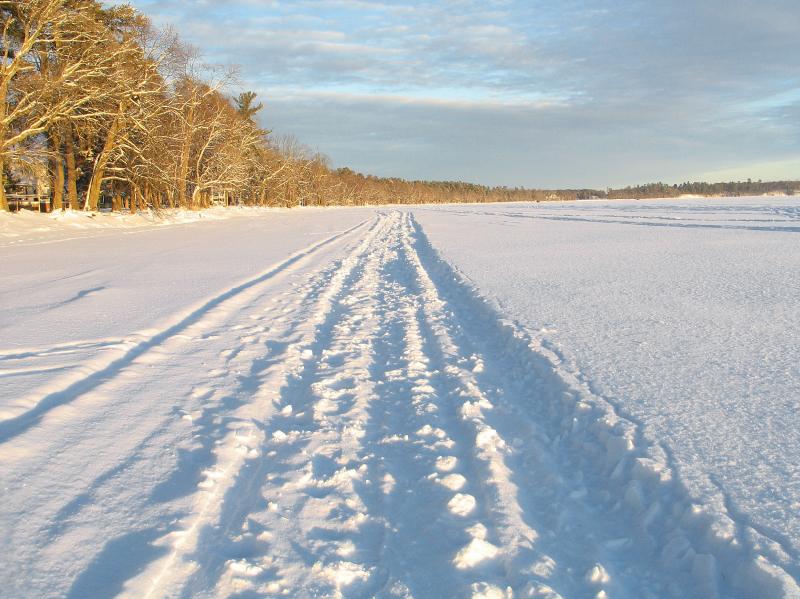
123,450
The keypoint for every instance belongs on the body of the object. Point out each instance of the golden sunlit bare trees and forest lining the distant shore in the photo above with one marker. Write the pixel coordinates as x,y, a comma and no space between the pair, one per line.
104,109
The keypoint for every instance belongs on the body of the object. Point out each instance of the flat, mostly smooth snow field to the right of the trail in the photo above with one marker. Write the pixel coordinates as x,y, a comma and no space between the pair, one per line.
684,315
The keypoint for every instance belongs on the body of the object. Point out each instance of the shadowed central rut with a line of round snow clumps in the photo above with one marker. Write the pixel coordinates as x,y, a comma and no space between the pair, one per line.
436,541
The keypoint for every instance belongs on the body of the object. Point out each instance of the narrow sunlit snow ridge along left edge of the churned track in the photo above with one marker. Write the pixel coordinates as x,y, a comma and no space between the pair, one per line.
230,488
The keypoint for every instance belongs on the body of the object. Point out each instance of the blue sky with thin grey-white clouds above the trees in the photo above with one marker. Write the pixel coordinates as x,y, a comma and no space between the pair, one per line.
536,93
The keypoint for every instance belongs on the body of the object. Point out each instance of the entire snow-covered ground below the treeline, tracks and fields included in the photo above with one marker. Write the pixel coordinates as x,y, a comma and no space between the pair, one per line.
570,399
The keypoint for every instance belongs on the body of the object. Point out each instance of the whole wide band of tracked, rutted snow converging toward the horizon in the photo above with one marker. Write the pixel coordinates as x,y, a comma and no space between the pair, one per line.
355,420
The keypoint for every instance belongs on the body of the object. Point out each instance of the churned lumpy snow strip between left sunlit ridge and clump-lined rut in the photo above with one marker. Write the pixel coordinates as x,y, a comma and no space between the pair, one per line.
312,446
